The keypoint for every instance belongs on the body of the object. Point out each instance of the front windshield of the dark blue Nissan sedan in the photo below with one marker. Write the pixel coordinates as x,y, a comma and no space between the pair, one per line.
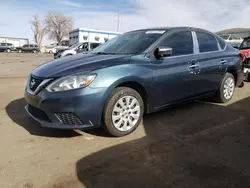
130,43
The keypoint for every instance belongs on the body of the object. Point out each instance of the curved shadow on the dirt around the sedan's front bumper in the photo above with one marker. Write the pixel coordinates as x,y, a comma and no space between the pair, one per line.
17,114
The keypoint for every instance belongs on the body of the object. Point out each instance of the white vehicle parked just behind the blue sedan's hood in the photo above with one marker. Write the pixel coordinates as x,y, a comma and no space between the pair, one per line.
77,48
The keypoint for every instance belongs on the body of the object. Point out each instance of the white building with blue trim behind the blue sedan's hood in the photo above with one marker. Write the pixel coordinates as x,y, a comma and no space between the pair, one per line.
90,35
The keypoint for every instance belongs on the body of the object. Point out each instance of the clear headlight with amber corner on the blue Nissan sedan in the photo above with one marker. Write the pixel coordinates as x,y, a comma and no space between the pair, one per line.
70,82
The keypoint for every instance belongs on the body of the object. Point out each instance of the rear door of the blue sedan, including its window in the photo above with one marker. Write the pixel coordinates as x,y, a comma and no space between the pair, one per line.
210,58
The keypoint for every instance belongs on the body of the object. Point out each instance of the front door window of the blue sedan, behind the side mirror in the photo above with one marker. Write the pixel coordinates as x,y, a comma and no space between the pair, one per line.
181,43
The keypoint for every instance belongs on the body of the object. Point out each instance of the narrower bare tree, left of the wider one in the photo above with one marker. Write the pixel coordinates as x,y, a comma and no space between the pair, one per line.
39,29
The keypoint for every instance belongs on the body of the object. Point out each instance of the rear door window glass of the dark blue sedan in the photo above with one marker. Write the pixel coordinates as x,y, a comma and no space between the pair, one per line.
207,42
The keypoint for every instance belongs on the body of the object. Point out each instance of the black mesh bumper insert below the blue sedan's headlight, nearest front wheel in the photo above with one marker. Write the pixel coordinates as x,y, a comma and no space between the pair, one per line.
68,118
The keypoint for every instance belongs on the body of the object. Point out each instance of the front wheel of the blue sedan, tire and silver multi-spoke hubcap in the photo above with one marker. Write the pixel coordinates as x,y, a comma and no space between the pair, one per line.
115,98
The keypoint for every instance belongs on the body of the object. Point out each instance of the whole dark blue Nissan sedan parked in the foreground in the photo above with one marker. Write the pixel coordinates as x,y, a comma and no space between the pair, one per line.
116,83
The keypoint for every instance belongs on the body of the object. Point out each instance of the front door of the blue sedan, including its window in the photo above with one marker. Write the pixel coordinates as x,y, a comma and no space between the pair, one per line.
175,76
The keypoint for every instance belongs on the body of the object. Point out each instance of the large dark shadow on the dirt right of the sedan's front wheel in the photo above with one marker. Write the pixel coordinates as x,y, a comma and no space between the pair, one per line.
194,145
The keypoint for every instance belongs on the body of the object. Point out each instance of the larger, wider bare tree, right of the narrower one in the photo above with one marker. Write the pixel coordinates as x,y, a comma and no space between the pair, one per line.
58,25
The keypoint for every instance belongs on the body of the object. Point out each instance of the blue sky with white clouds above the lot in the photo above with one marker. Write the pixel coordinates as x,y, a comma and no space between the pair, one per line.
213,15
